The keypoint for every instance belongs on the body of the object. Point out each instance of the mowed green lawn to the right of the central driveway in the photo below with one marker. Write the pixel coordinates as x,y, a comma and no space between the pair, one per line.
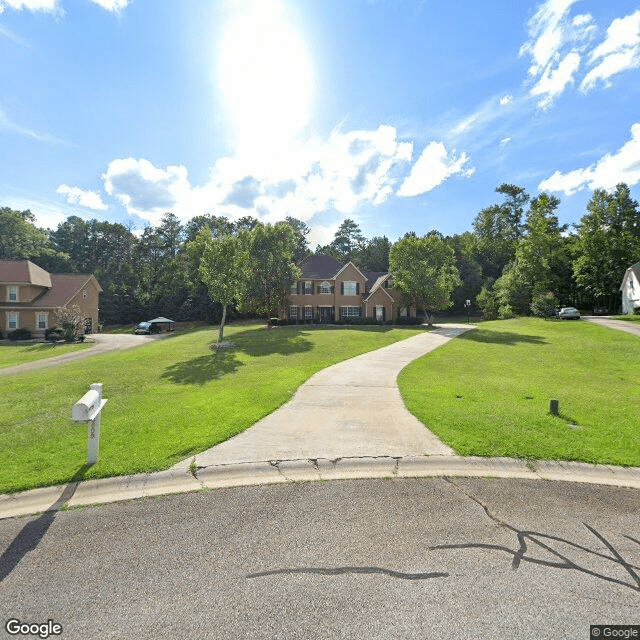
487,392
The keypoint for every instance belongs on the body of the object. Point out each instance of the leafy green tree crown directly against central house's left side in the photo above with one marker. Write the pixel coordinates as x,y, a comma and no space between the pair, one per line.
269,251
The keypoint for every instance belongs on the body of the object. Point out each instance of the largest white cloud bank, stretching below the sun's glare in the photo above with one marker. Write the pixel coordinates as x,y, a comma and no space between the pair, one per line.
343,172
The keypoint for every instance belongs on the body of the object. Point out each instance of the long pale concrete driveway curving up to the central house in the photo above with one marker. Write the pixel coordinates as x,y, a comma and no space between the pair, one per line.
351,409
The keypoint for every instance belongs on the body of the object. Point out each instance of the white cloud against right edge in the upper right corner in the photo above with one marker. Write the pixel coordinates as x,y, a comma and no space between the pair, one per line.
618,52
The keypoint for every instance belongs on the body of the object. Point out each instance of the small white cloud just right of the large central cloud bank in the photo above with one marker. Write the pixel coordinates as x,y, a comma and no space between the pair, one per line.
432,168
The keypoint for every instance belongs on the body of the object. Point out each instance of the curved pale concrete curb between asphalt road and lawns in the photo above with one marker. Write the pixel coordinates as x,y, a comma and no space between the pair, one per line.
173,481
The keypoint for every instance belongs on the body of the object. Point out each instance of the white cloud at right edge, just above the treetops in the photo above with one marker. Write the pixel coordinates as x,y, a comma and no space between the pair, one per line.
606,173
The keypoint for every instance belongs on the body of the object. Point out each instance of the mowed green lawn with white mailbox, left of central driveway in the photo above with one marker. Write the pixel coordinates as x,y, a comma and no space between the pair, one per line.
167,400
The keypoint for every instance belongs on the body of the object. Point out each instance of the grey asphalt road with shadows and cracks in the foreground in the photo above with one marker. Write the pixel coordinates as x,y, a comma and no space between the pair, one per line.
397,558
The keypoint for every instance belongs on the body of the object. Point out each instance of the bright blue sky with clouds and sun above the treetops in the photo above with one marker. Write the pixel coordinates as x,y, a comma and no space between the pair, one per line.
403,115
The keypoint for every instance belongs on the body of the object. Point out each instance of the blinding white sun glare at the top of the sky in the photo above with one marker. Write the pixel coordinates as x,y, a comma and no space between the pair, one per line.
264,75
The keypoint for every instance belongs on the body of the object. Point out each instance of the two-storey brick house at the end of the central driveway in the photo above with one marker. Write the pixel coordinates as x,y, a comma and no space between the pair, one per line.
328,290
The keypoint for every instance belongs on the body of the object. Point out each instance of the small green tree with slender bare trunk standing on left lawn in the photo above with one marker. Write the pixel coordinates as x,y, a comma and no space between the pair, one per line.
223,268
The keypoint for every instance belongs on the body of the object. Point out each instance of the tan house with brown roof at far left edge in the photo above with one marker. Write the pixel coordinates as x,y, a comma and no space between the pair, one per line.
30,297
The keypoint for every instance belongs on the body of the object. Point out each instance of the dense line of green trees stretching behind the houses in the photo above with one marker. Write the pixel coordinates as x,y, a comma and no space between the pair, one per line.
516,255
